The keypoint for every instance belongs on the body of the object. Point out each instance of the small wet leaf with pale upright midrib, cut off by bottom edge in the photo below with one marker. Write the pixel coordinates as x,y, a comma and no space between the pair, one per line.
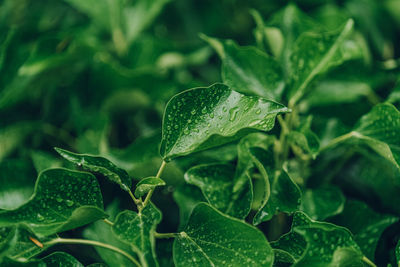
137,230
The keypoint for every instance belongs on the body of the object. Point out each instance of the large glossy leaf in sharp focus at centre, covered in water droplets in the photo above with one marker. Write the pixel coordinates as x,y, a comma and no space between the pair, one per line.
202,118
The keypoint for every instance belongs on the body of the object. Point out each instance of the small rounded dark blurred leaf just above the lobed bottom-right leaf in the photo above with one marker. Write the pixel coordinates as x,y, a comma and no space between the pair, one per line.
322,202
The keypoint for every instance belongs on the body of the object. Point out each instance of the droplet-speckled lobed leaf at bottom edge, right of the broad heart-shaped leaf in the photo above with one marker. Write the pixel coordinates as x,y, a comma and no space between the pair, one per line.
313,243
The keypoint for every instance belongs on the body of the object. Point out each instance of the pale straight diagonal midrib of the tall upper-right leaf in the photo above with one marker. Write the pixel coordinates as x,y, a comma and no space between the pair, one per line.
331,52
